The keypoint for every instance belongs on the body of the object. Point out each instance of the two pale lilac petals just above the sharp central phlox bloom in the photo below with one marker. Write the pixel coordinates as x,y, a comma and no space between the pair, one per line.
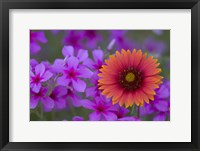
68,51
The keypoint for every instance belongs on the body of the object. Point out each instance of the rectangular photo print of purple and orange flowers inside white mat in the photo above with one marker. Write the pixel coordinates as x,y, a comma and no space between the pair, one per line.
99,75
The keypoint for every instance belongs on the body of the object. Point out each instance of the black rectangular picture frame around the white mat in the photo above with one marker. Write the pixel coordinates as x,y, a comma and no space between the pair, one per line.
5,5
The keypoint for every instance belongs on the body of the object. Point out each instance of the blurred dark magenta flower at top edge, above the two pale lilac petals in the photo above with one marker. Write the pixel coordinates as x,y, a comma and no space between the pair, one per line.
73,38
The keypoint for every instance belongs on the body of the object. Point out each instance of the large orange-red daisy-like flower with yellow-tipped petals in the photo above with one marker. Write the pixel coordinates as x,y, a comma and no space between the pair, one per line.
130,78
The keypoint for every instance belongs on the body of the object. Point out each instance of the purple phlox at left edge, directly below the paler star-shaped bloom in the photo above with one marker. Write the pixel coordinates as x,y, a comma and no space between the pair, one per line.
41,96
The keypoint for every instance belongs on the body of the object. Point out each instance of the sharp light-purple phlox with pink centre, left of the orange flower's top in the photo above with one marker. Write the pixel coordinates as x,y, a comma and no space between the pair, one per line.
72,73
